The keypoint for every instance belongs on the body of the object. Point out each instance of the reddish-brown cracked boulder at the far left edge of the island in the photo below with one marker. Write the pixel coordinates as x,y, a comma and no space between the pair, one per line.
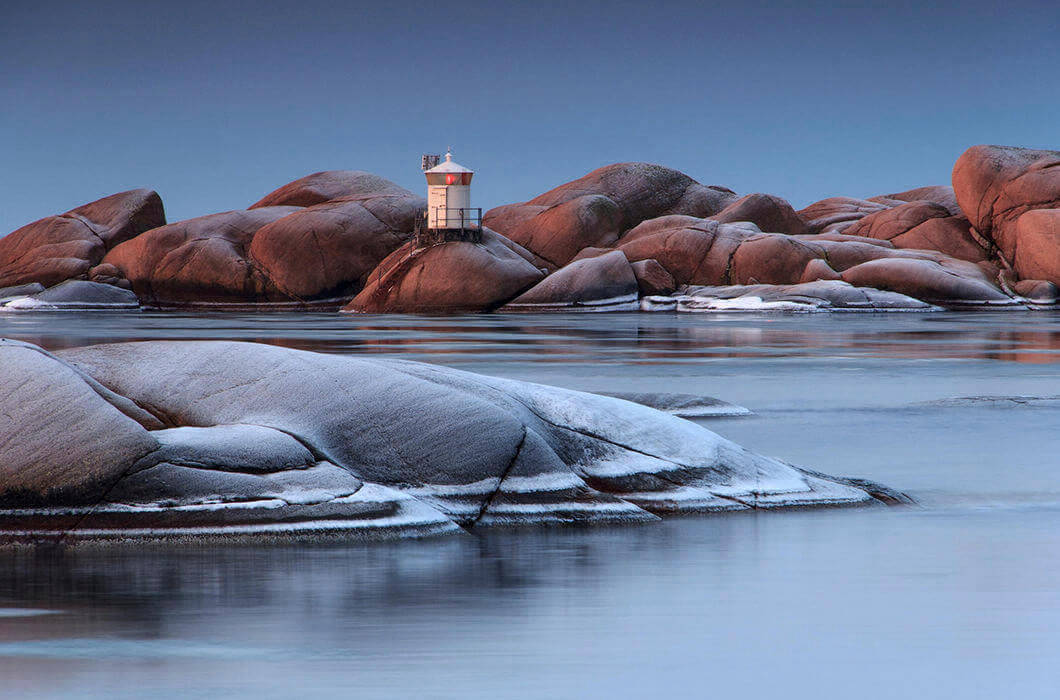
58,249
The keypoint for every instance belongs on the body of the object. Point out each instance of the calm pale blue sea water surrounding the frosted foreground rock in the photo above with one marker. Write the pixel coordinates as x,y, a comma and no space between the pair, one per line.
957,598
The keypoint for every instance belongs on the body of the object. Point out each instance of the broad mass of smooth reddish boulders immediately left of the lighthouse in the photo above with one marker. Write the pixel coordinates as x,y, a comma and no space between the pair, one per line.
276,254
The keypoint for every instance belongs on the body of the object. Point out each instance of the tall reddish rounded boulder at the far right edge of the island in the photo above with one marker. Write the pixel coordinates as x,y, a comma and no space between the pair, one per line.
997,187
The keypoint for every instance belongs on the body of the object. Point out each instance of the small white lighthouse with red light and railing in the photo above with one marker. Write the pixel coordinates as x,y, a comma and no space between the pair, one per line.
450,214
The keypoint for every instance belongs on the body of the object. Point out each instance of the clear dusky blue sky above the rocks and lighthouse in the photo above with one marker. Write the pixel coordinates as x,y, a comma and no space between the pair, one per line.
214,104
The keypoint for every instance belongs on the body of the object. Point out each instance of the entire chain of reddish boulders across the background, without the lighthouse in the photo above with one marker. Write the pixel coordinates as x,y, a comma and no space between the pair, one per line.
625,237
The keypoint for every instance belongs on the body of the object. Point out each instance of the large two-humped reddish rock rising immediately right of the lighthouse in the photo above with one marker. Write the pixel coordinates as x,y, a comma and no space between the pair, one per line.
595,211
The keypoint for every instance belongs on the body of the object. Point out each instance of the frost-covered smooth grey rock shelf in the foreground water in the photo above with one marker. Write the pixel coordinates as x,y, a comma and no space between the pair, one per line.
211,440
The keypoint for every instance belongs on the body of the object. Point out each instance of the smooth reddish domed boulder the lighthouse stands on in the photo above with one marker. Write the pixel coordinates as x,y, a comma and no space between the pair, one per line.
450,277
